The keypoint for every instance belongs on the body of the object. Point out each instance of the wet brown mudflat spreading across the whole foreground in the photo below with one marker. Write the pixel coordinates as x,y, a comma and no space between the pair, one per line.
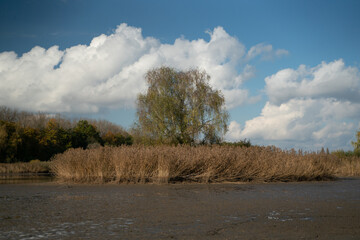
306,210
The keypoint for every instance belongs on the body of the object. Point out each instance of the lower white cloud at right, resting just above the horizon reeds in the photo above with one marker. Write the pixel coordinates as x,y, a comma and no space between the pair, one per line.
300,123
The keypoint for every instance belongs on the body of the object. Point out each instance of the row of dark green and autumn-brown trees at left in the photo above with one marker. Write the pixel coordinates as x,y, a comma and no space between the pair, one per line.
26,136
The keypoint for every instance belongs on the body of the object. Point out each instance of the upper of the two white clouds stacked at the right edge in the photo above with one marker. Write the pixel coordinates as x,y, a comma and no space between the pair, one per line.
327,80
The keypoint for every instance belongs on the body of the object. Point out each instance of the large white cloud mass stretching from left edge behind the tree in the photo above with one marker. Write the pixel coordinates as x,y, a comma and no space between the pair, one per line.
109,72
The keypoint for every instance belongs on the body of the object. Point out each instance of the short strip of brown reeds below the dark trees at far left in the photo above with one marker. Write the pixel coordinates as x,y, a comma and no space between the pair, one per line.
34,167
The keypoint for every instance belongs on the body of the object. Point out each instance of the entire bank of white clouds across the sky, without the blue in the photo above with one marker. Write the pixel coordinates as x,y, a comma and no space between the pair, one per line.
309,106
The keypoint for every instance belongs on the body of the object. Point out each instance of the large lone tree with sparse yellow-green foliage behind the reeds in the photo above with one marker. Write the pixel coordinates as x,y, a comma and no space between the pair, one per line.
180,108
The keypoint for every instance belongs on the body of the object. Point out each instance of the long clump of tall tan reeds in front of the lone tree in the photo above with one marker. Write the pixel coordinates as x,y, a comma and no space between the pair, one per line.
204,164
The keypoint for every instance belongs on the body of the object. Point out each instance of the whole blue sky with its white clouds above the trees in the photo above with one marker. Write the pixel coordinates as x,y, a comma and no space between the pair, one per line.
289,70
